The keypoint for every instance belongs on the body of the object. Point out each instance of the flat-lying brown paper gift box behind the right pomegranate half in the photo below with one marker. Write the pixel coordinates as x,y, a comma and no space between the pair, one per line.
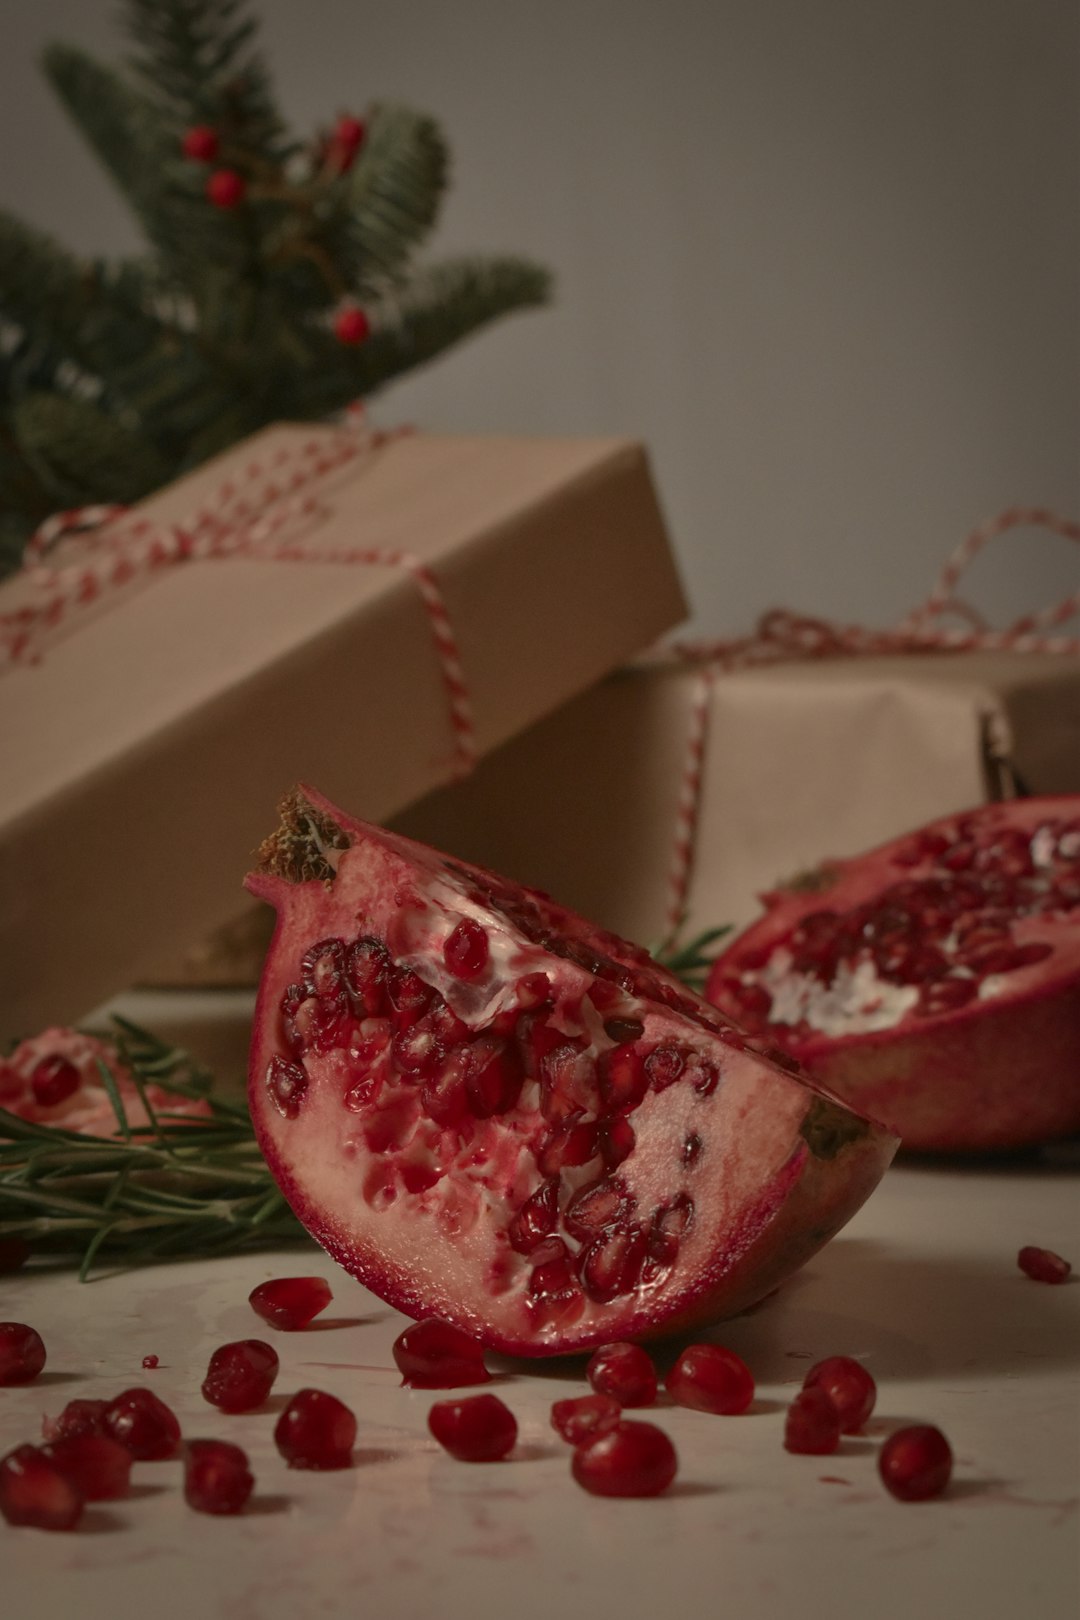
801,762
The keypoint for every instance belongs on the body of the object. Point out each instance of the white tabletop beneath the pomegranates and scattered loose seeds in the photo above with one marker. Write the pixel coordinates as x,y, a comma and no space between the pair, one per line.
922,1287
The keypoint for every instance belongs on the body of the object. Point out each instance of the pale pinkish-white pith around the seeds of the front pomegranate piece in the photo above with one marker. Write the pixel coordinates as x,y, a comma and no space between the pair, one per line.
713,1166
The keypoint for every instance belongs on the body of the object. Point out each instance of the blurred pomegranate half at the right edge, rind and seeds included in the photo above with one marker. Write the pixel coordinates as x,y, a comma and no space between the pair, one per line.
933,983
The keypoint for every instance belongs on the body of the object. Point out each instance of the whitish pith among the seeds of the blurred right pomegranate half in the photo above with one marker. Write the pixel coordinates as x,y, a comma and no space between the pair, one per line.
859,999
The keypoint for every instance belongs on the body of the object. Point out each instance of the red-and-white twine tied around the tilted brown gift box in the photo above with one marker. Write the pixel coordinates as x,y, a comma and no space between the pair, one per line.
240,521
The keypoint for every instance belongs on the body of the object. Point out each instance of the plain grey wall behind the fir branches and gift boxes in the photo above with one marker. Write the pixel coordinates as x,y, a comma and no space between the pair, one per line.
823,258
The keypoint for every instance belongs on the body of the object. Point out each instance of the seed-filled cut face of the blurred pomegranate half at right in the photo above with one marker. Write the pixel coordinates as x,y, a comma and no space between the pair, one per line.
937,939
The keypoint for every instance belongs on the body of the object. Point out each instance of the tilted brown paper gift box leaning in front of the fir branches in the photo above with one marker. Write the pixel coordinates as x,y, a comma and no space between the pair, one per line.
147,751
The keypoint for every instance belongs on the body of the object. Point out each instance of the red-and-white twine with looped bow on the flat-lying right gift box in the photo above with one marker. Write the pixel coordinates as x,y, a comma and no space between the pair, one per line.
786,637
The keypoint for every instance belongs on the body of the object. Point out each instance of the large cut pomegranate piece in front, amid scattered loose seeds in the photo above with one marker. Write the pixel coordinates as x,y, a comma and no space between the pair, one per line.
500,1136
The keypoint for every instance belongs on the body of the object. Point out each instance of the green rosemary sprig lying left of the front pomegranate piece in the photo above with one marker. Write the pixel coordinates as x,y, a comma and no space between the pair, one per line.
181,1187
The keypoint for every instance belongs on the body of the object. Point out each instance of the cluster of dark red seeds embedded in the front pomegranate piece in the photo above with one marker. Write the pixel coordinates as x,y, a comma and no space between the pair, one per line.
423,1083
